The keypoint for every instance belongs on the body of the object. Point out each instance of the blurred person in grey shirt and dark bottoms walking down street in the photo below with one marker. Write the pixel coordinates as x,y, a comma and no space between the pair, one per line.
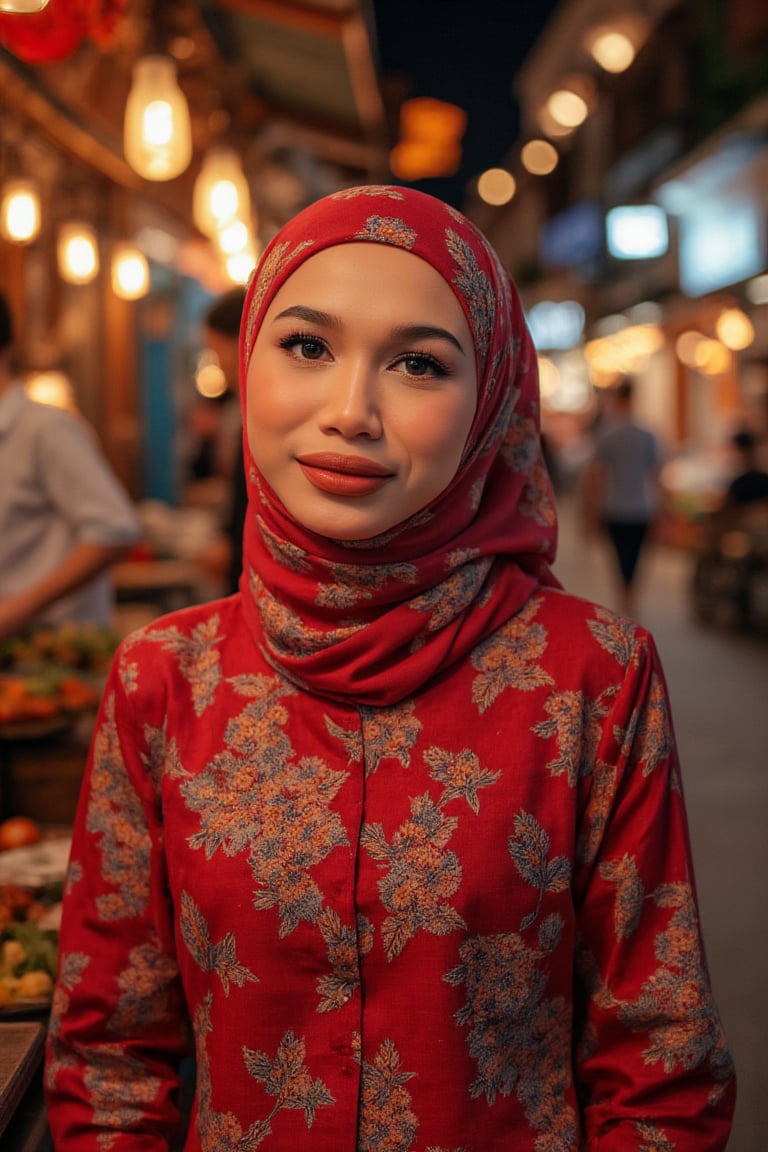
622,488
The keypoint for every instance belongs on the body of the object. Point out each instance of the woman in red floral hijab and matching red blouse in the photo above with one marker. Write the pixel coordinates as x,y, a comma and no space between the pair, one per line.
399,829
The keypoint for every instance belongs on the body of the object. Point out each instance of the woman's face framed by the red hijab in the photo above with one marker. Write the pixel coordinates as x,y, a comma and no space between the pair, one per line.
362,389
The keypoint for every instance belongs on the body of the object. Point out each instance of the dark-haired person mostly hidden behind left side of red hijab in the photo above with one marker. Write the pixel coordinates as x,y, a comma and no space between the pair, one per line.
224,559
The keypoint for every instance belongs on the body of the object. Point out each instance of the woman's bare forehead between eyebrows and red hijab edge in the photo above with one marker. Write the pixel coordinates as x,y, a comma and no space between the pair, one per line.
371,278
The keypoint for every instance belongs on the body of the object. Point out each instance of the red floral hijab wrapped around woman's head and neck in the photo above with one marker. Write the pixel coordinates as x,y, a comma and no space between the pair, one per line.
372,622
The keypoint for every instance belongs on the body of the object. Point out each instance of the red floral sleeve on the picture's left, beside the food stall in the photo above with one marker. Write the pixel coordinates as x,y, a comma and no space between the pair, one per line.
118,1026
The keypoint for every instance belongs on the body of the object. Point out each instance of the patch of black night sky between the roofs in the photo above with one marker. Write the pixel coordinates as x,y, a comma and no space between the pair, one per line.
467,52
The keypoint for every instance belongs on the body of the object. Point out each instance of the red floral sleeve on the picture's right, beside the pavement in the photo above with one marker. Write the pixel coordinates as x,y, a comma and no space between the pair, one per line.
653,1067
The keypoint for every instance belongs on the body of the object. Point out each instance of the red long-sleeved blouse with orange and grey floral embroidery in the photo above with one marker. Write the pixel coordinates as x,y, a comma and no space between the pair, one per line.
463,921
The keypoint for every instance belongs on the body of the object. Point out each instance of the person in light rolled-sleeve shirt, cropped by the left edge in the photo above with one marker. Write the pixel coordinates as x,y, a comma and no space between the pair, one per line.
65,518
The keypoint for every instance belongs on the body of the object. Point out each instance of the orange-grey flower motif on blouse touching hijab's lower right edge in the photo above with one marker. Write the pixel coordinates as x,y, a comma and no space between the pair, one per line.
508,658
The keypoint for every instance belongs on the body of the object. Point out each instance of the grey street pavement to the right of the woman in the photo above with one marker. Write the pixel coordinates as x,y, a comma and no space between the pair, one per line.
719,689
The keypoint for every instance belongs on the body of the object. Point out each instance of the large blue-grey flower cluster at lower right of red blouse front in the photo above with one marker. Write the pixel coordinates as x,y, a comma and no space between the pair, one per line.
515,1034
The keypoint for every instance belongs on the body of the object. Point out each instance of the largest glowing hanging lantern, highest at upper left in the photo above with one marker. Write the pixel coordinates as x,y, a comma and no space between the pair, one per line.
158,137
